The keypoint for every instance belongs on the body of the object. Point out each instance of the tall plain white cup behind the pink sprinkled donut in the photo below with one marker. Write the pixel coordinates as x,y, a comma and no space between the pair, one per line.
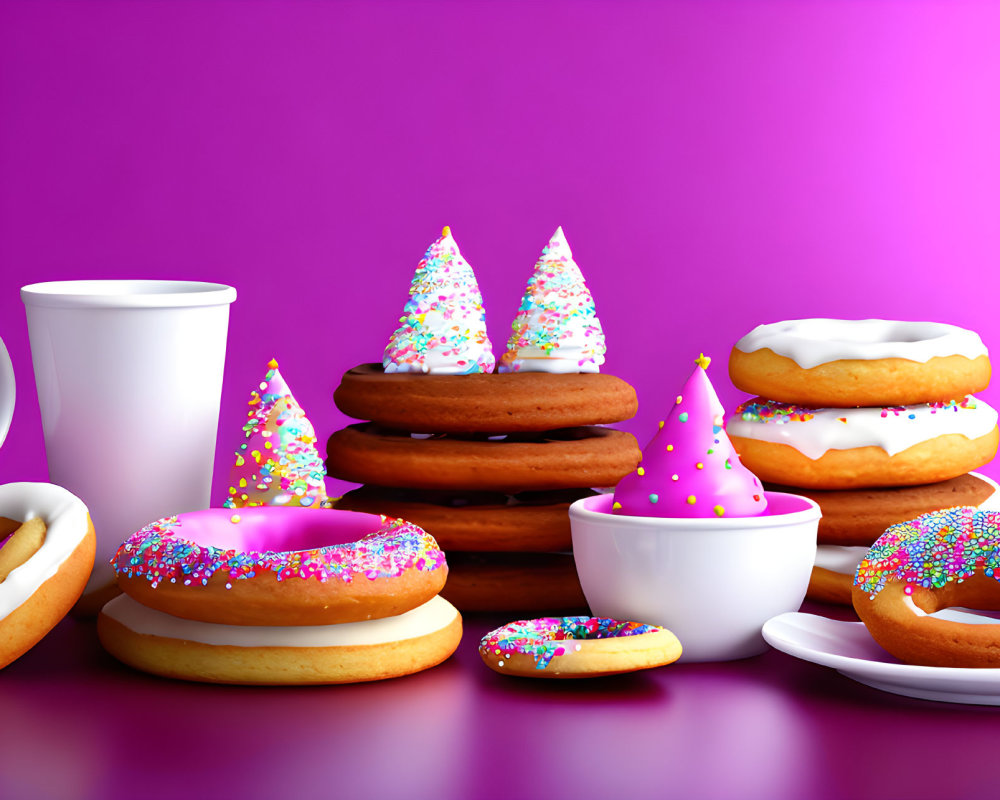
129,377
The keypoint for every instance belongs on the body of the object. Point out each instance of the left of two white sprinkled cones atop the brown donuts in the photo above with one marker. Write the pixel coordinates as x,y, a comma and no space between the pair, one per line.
443,327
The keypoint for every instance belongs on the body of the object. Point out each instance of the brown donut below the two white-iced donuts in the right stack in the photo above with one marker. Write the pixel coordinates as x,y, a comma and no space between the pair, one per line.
859,516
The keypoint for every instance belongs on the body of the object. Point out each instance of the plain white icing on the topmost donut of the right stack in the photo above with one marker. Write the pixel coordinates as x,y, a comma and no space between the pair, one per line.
811,342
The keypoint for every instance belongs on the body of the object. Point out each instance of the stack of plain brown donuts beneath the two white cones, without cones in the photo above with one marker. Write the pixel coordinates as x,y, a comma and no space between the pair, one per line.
488,464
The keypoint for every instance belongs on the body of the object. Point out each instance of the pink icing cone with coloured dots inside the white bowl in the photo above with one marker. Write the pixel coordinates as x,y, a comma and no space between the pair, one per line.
690,468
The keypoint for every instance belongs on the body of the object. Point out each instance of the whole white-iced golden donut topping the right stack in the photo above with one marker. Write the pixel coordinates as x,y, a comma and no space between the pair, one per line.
871,362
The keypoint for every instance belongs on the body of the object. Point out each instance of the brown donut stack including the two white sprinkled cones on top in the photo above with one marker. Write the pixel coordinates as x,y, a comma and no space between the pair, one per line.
440,388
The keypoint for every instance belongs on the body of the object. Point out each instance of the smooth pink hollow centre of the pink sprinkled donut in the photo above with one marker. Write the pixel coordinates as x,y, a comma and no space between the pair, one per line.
280,530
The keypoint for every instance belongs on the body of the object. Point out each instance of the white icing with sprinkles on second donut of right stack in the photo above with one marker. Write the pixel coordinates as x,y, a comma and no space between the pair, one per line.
894,430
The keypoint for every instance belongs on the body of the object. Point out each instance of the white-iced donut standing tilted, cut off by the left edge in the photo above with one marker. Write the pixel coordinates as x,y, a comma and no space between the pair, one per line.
47,549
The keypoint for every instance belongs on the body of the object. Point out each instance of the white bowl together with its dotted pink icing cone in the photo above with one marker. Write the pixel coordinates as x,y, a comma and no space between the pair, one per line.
691,542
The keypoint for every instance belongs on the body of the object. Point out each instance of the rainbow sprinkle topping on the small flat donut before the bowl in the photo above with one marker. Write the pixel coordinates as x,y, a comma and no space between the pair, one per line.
546,637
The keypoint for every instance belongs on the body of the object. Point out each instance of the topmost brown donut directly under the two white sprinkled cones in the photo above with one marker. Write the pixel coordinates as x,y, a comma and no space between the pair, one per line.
494,402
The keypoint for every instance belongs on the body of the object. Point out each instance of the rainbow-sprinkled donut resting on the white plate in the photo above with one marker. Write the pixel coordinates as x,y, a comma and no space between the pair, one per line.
937,561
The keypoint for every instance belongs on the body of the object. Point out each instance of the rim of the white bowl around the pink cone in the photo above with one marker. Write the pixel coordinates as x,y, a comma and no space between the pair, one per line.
585,509
